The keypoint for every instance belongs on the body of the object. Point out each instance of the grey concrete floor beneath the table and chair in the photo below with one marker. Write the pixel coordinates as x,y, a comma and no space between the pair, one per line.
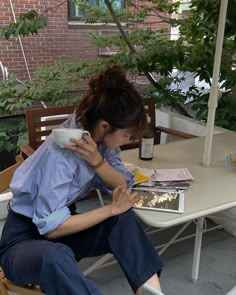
217,268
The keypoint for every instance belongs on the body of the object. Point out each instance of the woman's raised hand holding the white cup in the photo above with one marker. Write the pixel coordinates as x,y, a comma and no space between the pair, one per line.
87,148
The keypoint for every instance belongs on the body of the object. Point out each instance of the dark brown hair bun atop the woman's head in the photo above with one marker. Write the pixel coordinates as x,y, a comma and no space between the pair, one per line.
109,80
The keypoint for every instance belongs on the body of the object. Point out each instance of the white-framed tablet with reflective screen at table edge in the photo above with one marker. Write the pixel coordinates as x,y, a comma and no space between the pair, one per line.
160,200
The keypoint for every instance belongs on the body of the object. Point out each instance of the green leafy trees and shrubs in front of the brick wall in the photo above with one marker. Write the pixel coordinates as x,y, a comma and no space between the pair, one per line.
141,51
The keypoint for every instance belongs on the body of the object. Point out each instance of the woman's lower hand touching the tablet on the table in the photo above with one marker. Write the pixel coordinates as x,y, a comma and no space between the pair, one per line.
123,200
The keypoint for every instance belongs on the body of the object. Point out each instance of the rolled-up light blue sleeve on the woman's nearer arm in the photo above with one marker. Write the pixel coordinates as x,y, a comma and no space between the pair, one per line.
49,205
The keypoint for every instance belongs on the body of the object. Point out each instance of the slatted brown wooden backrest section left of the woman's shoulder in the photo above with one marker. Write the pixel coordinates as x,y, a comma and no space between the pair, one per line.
41,121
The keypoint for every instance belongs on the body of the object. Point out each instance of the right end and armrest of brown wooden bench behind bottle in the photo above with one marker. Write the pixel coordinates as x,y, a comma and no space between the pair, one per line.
149,105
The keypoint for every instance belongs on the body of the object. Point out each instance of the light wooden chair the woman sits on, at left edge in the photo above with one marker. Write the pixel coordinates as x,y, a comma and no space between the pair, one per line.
7,286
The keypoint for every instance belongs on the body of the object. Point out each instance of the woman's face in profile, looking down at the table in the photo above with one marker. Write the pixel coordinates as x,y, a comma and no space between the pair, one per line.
117,138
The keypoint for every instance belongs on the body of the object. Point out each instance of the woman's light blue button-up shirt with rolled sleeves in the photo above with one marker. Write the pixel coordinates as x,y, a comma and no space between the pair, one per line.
53,178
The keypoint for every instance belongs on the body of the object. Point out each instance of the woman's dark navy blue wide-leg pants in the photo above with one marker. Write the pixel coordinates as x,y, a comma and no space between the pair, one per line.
27,257
